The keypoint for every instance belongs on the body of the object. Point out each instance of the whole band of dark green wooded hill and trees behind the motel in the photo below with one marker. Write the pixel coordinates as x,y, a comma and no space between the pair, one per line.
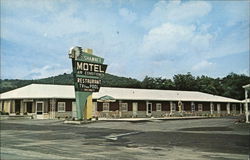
229,86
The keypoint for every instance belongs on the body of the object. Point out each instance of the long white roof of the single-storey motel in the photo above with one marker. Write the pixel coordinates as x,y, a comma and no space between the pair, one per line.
47,91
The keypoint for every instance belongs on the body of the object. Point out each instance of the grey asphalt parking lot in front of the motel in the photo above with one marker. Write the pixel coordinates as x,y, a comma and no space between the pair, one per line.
218,138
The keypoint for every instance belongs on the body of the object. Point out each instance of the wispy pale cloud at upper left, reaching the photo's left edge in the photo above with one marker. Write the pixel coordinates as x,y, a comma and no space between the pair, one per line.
56,25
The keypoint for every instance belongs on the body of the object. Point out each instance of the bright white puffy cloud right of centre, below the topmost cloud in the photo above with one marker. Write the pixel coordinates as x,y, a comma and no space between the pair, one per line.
169,39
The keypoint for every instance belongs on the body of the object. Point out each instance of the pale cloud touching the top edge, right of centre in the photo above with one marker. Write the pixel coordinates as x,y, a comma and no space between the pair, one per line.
176,12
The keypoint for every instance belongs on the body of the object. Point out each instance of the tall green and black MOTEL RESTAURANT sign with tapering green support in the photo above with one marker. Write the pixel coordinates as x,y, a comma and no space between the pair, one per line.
87,72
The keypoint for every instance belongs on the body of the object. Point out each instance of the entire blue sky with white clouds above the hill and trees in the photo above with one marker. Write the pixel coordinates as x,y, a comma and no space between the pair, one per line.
136,37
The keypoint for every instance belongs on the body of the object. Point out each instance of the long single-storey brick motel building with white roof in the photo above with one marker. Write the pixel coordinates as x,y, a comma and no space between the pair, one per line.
45,101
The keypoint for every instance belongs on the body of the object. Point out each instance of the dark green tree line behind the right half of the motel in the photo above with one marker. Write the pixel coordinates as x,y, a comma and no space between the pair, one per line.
229,86
